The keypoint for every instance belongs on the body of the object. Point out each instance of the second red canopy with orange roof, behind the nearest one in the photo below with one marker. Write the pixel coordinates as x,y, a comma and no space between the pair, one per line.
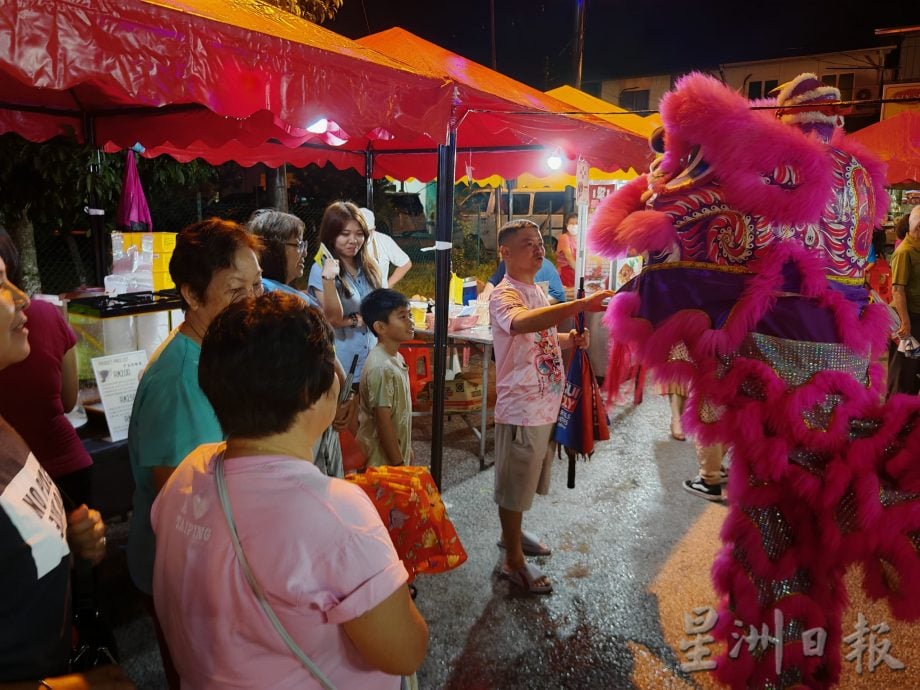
504,127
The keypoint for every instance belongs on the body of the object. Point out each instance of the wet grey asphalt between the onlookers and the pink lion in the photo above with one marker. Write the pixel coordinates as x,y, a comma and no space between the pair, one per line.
631,556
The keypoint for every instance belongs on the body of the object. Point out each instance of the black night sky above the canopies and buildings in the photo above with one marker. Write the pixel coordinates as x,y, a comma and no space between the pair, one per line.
534,38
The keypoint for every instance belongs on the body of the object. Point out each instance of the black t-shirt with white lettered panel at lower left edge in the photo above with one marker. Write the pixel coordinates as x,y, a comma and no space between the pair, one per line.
35,570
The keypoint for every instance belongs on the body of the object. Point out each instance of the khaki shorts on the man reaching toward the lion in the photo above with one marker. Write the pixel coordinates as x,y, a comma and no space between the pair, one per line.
523,464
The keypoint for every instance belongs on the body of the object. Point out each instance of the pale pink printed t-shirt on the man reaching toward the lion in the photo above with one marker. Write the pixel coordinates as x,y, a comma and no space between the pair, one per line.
528,366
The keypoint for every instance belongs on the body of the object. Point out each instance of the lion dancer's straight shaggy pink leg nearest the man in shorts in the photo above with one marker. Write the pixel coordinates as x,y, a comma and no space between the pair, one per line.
781,578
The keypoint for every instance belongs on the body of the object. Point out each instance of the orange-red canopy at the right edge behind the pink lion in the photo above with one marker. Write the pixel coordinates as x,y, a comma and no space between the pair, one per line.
897,142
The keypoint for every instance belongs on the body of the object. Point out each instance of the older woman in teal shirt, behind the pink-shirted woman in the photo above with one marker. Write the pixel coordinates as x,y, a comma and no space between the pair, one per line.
214,264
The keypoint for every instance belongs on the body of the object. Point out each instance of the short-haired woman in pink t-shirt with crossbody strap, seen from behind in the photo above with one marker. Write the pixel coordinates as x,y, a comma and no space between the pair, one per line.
316,544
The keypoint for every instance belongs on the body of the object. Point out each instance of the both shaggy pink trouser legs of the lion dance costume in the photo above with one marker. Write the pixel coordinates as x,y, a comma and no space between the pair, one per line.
822,476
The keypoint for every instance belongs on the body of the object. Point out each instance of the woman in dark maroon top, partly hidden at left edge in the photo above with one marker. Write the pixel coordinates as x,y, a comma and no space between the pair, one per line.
46,382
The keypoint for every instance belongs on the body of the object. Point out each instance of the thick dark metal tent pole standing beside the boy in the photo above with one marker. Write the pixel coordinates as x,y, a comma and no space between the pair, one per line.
447,164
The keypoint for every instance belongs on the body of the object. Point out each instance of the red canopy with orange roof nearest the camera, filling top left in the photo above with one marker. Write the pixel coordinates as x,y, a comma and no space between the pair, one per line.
202,73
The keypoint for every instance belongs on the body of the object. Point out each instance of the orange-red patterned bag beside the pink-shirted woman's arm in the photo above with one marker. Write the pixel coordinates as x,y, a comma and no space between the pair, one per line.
412,510
